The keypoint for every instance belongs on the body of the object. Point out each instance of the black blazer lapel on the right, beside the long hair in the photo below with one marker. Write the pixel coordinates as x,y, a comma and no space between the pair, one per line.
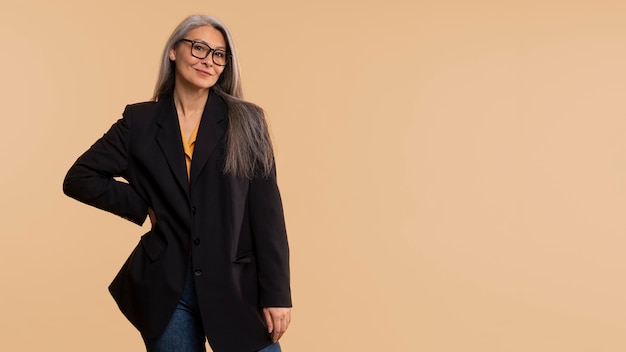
210,133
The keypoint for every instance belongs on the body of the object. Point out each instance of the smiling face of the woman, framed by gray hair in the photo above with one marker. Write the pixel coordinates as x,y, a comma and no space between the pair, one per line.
194,73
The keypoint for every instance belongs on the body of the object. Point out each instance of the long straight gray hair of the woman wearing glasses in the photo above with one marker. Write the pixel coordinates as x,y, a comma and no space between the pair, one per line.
248,145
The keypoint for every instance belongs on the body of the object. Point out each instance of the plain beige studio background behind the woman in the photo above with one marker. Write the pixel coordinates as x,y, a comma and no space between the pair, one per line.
453,172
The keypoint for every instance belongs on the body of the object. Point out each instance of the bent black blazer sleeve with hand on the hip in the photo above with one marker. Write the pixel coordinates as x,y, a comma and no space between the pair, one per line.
91,178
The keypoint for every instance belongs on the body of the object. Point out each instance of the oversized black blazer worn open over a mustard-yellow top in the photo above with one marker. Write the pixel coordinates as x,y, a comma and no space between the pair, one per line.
230,230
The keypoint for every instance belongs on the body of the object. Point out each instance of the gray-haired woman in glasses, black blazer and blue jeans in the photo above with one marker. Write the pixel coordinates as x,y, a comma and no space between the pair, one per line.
198,162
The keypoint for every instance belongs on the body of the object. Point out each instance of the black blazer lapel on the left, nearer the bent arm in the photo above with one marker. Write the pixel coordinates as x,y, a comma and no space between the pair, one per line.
171,143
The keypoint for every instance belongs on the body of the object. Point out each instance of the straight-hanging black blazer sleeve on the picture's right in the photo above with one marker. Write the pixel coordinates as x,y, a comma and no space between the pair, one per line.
270,239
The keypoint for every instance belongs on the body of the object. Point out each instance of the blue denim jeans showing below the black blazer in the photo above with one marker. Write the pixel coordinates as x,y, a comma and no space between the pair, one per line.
184,332
